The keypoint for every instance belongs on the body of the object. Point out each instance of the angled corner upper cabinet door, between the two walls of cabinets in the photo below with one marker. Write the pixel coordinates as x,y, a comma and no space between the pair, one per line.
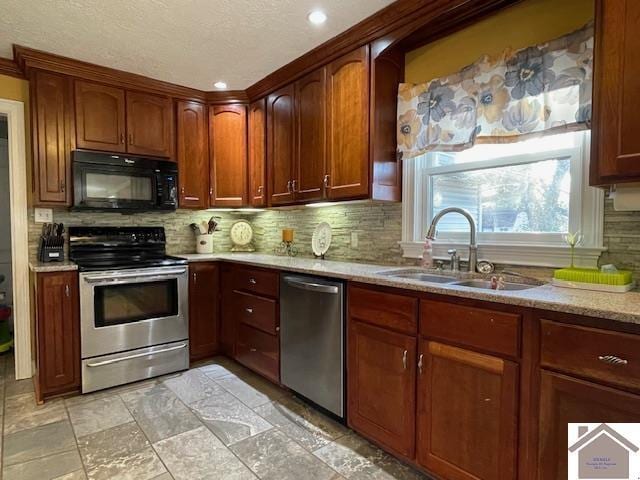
228,147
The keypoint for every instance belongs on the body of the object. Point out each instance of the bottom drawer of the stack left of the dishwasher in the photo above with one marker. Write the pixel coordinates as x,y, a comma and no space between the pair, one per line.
258,351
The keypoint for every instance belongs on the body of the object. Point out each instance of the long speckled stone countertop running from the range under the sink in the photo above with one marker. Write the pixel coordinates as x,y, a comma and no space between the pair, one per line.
613,306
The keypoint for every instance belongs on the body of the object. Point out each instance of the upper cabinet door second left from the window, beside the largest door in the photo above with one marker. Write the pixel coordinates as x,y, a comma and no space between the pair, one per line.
310,120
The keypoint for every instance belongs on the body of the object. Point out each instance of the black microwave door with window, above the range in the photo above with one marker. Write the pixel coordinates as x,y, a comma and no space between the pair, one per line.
107,187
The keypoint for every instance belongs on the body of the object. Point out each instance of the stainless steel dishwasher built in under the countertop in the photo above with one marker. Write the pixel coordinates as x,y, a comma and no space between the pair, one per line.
312,339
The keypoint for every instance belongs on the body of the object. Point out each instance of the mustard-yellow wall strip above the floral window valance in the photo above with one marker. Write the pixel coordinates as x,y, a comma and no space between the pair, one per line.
519,26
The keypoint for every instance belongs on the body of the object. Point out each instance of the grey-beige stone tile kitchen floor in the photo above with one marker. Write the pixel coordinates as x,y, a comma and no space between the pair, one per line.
215,421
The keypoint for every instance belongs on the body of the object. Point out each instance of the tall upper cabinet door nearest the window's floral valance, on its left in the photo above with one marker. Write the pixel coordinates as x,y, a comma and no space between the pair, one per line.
348,125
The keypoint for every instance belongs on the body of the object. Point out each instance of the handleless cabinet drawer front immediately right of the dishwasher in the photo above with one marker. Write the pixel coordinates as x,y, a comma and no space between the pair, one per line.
388,310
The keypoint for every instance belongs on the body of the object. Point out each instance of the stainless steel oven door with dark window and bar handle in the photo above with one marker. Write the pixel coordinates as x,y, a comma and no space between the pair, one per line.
127,309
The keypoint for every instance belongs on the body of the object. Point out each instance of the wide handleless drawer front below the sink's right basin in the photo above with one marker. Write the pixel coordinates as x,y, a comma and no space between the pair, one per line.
480,328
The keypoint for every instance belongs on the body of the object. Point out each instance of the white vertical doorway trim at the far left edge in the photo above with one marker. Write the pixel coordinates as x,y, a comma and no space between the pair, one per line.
14,112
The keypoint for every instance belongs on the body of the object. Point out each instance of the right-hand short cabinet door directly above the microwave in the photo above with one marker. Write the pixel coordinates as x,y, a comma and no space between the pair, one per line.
149,125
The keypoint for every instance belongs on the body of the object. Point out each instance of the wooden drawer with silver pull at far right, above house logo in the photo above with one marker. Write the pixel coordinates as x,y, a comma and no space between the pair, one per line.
611,357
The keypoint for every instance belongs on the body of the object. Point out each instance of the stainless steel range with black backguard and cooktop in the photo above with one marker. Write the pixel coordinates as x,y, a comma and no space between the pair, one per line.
134,320
